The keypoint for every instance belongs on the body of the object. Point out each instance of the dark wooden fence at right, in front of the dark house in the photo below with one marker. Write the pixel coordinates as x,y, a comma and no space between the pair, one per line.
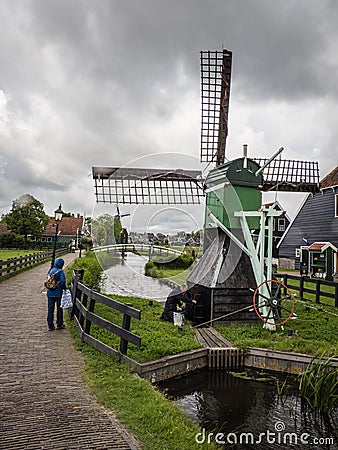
317,291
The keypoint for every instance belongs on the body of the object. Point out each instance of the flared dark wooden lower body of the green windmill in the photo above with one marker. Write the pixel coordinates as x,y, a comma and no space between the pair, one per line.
221,283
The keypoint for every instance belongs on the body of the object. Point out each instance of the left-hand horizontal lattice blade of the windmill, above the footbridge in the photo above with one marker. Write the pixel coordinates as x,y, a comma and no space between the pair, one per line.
147,186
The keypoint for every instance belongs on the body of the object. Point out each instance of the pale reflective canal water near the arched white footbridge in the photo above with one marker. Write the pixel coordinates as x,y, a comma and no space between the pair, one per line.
125,276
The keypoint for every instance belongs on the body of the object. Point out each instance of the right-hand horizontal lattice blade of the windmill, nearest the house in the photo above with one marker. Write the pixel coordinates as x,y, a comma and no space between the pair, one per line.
290,175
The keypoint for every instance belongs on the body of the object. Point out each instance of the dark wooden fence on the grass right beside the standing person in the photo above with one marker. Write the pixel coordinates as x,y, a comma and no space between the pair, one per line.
84,300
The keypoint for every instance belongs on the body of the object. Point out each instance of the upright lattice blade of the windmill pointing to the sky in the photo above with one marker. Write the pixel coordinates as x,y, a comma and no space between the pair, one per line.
215,93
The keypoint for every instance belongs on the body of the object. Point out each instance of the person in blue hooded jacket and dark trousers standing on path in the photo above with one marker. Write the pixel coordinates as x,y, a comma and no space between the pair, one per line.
54,296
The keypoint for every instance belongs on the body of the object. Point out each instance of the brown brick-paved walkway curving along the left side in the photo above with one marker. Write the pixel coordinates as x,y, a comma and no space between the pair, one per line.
44,402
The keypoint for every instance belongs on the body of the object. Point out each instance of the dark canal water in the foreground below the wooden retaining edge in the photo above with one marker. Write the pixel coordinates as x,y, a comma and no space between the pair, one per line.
249,413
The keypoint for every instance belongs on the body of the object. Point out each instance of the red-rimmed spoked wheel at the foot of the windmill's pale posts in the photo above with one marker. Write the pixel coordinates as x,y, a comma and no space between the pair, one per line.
273,302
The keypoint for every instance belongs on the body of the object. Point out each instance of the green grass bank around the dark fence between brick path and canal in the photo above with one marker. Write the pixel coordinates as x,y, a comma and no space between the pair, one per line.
146,412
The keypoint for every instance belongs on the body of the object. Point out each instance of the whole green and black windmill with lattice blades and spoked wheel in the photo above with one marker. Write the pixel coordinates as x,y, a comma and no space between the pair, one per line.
232,278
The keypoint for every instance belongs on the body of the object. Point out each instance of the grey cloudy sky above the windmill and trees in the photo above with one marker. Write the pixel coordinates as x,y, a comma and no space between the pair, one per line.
86,83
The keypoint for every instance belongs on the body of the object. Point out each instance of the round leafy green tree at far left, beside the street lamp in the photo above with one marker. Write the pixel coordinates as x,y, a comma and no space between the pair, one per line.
27,217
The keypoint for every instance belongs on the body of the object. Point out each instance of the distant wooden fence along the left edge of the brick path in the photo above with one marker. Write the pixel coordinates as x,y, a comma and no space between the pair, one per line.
13,265
